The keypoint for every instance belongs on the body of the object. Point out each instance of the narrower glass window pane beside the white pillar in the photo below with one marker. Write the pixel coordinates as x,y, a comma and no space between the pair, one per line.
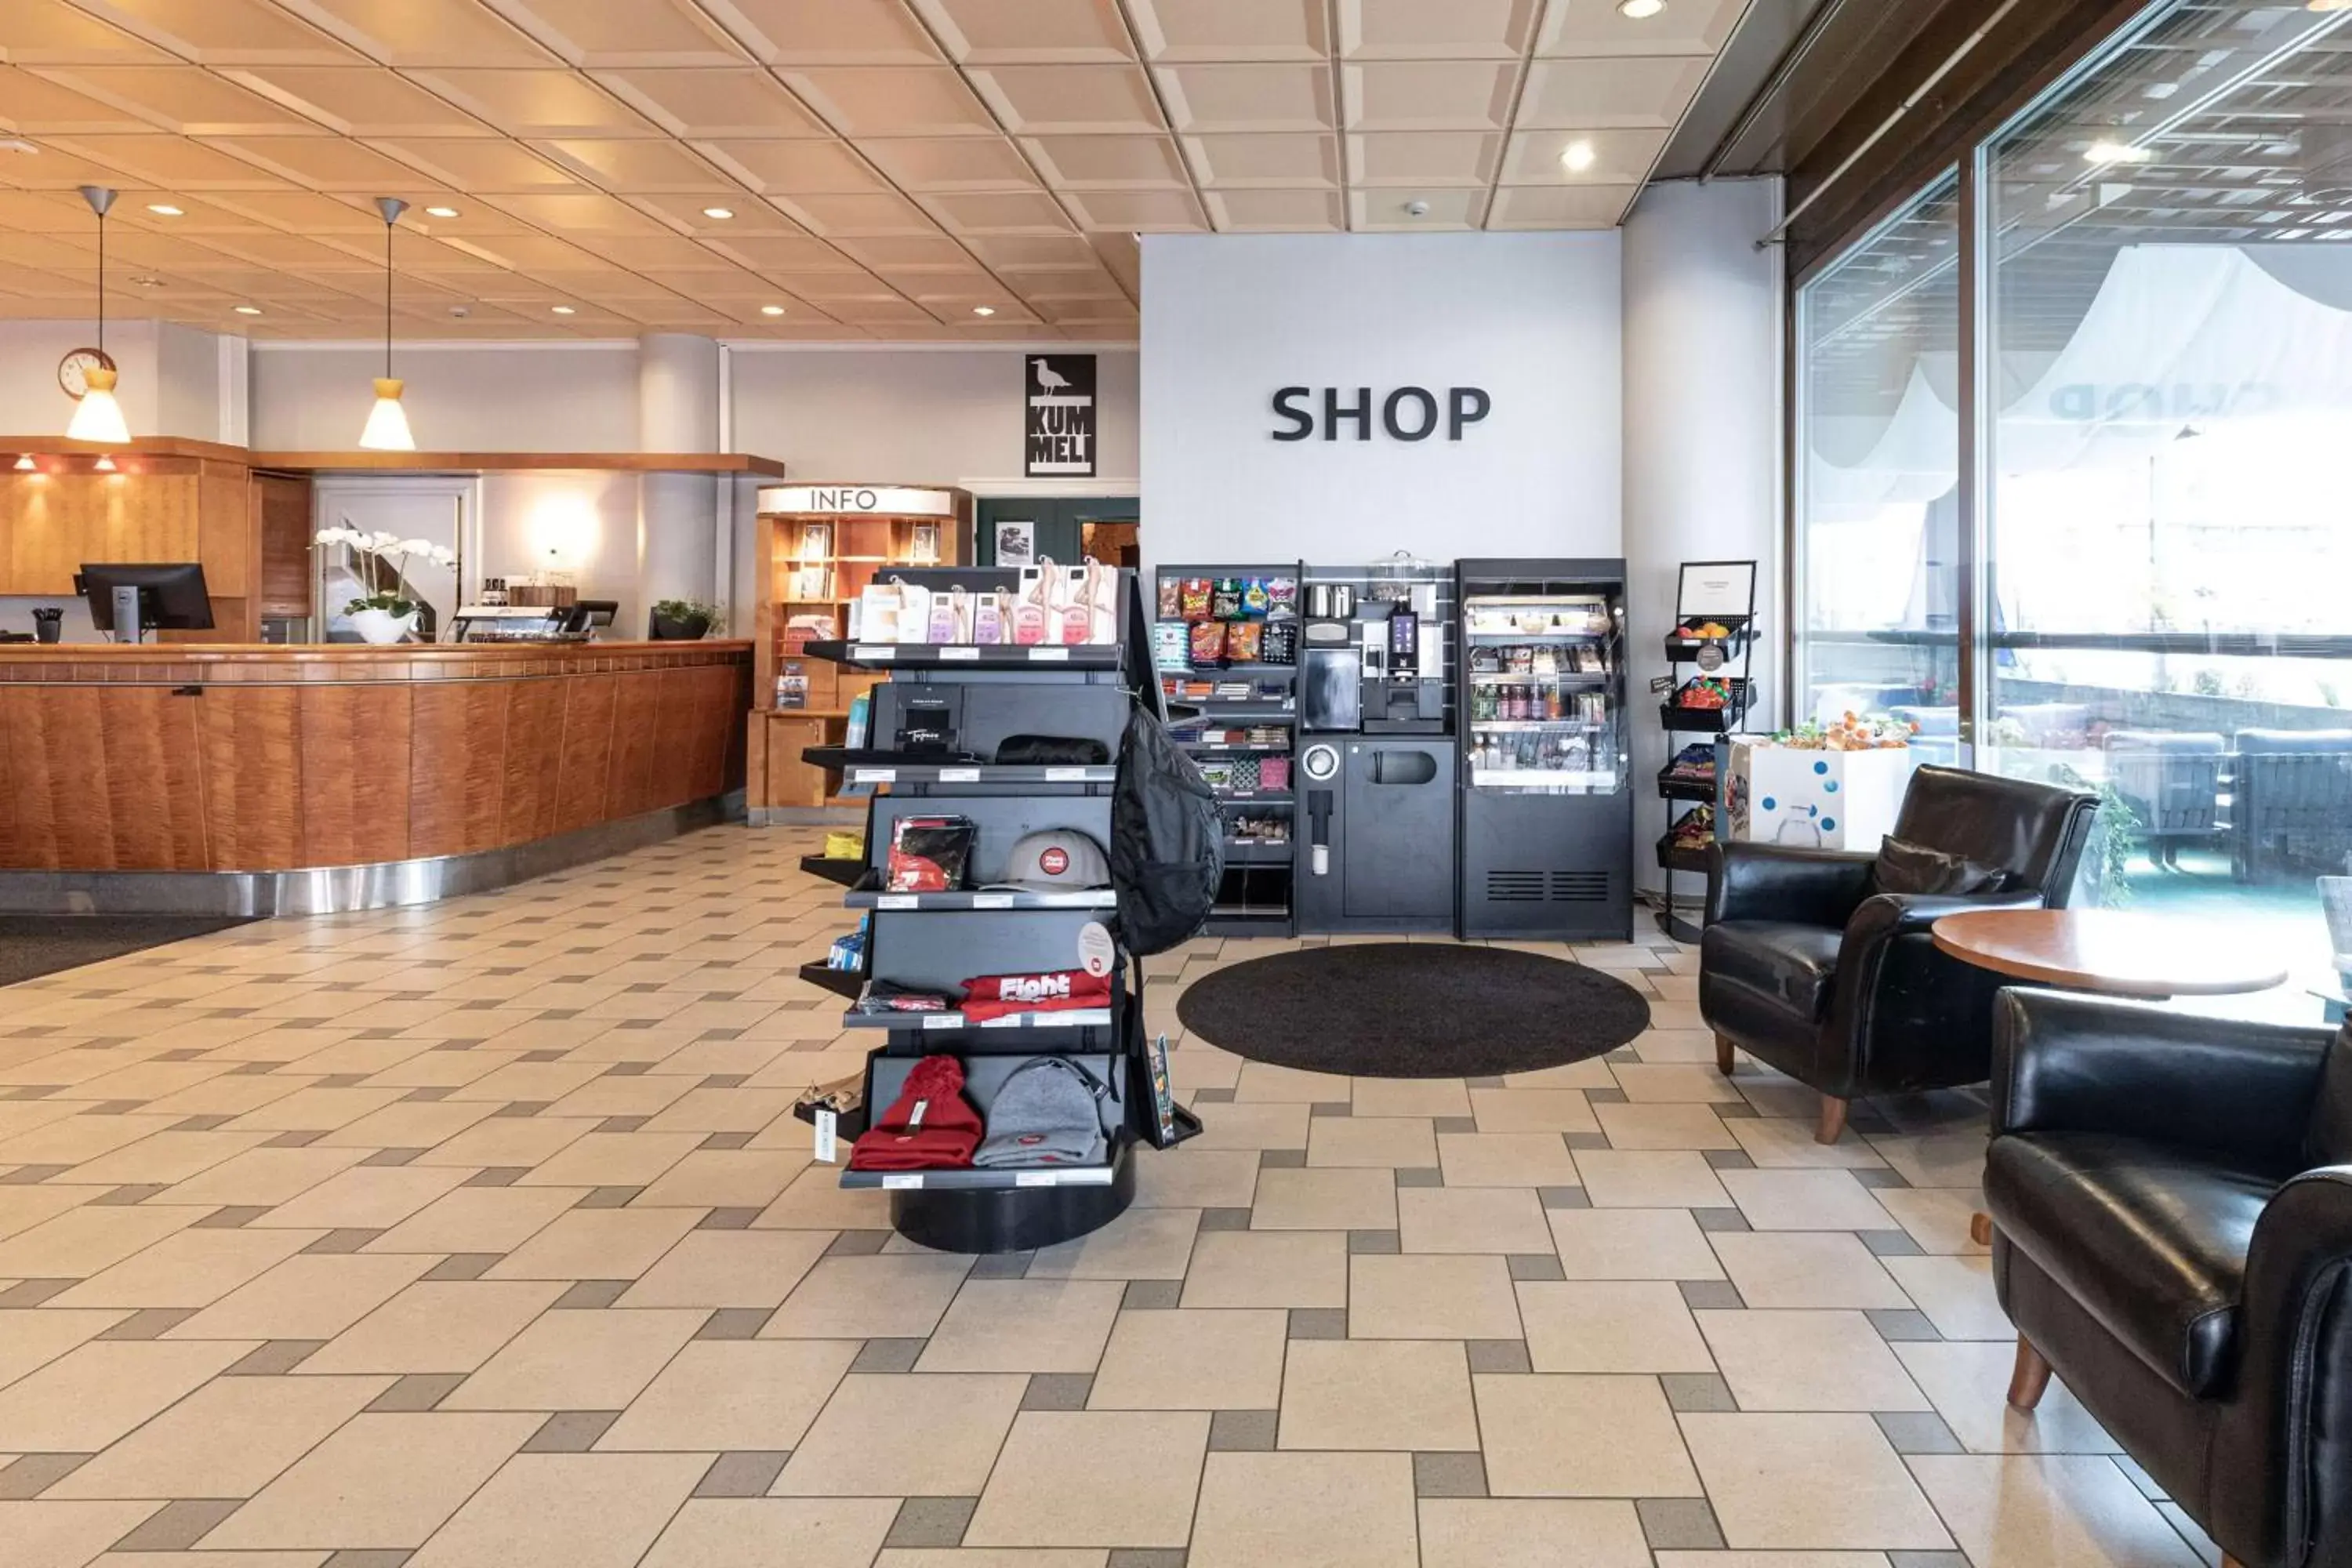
1878,478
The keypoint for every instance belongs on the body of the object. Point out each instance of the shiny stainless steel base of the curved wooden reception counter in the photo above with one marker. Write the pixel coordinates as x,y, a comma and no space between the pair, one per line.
340,890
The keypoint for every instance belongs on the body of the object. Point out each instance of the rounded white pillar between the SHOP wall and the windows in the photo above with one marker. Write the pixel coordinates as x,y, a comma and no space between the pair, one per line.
1702,436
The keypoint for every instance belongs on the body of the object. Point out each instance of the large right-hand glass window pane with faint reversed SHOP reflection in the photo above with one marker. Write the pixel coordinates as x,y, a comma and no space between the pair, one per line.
2167,406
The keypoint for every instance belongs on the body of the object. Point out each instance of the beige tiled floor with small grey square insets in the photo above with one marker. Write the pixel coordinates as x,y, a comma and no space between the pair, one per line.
483,1238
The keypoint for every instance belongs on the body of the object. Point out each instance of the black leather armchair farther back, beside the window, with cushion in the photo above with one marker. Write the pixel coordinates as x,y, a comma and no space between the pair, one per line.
1817,974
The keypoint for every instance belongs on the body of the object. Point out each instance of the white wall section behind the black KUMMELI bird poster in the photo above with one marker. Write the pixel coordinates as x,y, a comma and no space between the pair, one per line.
921,415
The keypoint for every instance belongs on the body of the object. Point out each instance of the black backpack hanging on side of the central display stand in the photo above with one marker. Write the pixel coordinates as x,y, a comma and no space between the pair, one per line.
1168,840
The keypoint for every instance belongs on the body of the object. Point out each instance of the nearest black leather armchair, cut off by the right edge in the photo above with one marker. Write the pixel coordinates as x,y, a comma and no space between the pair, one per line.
2172,1207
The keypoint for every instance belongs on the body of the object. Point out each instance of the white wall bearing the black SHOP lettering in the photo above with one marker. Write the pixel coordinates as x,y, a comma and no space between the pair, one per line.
1530,319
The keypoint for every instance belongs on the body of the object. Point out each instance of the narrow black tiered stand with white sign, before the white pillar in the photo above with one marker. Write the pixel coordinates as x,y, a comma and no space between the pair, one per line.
1711,598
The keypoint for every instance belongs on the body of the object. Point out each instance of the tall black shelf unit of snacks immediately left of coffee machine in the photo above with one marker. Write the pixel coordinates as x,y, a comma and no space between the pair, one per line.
1255,897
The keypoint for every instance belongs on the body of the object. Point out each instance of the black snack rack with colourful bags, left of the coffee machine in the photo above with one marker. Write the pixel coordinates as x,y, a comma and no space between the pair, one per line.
1238,718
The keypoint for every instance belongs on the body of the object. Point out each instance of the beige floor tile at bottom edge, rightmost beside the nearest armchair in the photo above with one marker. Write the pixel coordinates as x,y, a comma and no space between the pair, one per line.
2050,1510
